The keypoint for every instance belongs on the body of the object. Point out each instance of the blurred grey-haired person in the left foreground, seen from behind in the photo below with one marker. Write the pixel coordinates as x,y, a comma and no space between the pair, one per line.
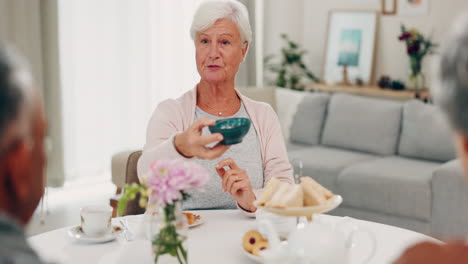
22,157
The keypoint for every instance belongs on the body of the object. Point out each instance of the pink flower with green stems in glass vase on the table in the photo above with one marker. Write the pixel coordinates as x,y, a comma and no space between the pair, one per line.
165,185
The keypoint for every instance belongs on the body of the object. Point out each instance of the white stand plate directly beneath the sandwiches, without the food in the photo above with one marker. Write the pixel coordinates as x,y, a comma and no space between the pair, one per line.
331,204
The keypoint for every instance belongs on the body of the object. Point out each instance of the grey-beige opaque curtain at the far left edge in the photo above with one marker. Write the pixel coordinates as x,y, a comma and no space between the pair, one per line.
30,26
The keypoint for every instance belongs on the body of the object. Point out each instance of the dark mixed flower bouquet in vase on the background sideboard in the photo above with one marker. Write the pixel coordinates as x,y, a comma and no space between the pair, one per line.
417,47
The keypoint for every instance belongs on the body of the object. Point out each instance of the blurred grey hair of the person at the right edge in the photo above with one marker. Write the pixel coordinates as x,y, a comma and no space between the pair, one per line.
451,87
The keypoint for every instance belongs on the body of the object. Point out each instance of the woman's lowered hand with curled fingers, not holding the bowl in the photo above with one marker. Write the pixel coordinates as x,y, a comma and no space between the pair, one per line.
237,183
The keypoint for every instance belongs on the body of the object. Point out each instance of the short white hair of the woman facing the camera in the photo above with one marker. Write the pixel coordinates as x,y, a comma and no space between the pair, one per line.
208,12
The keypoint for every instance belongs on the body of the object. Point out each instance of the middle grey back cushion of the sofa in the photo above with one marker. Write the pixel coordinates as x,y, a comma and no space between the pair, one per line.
363,124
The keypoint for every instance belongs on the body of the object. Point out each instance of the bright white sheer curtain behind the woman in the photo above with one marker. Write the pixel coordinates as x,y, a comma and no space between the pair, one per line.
119,59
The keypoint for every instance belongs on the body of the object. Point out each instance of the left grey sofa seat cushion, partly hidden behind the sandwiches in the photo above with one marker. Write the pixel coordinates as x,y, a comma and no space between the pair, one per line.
324,164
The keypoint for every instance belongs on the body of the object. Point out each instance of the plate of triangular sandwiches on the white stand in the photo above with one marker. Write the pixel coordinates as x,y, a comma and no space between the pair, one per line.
304,199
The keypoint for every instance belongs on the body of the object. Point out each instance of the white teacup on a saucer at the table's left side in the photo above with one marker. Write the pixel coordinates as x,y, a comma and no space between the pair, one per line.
96,220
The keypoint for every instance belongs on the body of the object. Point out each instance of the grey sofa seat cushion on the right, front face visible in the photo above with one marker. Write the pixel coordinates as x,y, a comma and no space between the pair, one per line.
392,185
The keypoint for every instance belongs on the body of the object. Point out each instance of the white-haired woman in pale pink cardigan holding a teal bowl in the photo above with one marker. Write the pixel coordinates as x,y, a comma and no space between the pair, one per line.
178,128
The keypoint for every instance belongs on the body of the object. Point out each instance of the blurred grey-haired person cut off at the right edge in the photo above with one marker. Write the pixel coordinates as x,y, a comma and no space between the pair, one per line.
452,96
